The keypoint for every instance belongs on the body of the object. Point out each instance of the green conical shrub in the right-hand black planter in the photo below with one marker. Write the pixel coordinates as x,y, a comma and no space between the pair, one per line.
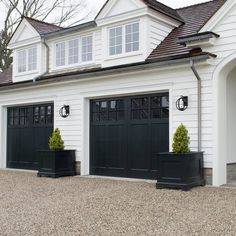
181,140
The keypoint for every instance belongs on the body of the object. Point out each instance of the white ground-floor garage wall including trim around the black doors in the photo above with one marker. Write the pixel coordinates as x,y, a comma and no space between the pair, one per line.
75,129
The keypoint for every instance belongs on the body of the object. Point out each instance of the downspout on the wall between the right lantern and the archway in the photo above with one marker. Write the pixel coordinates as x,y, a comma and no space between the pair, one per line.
199,104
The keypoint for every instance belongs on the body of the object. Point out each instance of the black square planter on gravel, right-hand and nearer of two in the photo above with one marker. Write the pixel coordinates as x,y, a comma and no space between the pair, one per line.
180,171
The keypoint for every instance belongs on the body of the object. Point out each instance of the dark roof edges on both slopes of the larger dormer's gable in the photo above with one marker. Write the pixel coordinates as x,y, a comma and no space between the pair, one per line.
155,5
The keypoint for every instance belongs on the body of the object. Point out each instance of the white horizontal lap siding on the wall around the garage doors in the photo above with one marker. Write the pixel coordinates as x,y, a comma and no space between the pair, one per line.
181,80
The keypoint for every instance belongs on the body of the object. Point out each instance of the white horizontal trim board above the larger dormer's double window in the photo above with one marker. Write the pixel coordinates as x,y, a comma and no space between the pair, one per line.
122,17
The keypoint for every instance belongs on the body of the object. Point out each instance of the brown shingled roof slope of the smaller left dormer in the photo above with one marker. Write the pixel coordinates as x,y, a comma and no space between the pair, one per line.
42,27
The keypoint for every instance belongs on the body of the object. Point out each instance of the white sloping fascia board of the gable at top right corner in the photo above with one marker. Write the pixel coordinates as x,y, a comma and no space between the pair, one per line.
217,17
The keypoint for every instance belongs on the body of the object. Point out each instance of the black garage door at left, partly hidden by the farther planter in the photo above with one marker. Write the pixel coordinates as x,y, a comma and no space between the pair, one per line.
29,129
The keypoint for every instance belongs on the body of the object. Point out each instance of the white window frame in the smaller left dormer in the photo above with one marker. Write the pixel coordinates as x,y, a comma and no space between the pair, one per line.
26,50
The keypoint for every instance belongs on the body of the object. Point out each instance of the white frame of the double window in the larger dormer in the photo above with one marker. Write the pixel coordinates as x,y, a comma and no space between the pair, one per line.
124,53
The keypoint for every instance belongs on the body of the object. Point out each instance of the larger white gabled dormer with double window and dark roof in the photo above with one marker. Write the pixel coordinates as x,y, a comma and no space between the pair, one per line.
132,29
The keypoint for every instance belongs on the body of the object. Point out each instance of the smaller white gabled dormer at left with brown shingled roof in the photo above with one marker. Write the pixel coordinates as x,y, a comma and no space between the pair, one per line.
29,50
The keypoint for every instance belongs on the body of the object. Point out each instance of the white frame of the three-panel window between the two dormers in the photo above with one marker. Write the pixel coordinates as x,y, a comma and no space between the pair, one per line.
80,62
